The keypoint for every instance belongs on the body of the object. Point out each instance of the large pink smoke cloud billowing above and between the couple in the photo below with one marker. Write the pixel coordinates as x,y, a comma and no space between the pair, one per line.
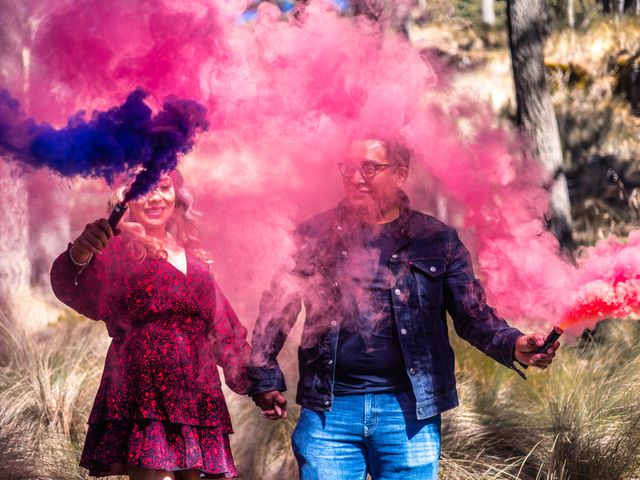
287,96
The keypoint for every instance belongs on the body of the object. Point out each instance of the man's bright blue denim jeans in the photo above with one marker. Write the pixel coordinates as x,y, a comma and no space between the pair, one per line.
375,433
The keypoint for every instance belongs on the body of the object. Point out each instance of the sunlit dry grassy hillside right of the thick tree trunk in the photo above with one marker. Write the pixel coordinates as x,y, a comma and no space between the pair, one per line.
598,129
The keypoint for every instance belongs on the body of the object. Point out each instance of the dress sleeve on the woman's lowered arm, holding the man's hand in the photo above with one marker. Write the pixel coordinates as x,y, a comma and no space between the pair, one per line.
230,339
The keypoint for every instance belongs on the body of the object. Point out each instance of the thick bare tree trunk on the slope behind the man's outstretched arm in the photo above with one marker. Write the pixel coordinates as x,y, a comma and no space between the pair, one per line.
526,23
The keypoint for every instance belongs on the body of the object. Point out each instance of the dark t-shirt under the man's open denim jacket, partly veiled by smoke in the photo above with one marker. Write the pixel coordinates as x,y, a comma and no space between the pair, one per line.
369,357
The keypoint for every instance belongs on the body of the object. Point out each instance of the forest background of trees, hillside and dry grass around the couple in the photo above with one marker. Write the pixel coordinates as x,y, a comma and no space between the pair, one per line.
579,420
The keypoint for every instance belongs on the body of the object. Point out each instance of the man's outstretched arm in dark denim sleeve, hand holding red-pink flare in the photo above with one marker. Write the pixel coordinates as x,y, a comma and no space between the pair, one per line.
478,323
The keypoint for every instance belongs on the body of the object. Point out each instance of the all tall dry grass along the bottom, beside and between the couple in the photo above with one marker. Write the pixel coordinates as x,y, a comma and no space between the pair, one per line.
578,420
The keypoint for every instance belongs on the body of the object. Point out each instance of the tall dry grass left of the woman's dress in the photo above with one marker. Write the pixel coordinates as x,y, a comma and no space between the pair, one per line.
47,384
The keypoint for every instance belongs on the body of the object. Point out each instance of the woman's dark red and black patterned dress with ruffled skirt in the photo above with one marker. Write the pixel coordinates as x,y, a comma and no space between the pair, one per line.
160,403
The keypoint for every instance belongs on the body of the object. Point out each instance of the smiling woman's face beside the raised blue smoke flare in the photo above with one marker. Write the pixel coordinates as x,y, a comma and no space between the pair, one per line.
154,210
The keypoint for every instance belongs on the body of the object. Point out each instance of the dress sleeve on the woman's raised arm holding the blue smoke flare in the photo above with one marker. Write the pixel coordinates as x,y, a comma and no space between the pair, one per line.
84,288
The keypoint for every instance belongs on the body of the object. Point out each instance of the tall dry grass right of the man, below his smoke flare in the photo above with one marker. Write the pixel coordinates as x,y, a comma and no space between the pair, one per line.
579,419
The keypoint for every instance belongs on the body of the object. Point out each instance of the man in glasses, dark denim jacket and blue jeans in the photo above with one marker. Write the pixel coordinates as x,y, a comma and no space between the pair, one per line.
376,367
